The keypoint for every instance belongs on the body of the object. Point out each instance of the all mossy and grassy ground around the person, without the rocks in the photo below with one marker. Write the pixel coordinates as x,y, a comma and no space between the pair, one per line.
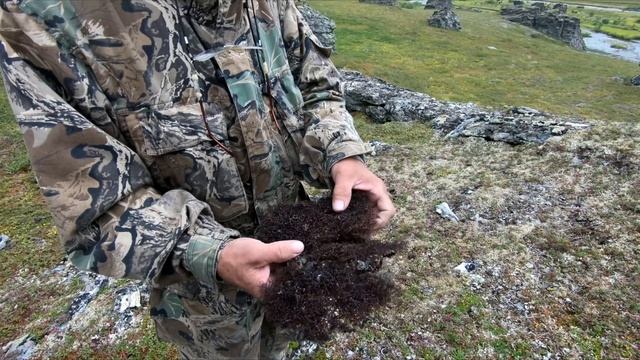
556,237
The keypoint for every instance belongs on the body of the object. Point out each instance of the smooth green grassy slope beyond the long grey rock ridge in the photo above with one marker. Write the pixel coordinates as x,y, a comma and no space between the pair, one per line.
459,66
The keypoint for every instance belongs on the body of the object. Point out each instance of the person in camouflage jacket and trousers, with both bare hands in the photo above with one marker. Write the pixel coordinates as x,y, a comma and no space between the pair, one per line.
161,131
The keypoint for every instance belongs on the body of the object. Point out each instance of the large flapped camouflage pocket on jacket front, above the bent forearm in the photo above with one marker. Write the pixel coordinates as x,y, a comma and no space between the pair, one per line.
174,143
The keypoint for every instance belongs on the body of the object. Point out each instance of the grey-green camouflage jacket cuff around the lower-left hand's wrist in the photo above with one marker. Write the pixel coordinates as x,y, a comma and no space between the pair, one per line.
206,239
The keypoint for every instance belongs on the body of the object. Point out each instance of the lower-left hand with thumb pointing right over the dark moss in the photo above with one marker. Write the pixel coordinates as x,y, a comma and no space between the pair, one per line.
245,262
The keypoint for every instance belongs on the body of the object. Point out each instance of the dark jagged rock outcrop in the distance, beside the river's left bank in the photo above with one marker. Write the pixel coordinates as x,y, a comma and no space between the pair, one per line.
552,22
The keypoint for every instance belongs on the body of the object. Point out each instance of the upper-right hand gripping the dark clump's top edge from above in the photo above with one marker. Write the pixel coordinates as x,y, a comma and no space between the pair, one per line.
351,173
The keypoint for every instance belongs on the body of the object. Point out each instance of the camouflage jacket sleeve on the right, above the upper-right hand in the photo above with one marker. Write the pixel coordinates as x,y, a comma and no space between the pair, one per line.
330,134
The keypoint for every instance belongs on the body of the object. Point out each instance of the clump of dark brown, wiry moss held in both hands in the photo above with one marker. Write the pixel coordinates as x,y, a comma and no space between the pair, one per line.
334,283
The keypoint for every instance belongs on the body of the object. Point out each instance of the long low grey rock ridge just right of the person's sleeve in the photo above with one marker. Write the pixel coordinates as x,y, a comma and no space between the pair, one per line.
383,102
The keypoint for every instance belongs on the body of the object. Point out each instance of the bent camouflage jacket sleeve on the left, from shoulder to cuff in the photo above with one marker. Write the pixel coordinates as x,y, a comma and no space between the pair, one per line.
110,218
